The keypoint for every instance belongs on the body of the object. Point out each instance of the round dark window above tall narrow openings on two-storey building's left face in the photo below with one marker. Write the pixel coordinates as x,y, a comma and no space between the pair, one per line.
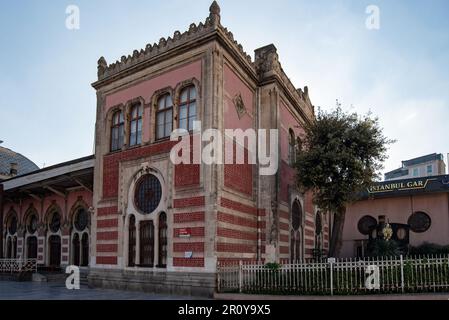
148,194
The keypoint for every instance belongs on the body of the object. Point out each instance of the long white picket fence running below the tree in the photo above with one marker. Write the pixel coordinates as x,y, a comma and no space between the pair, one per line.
338,276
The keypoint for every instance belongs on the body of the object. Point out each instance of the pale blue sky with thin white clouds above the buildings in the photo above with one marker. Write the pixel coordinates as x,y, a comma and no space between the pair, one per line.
399,72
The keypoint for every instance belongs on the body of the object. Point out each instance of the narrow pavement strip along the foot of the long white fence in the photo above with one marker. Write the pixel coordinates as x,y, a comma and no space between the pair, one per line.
425,296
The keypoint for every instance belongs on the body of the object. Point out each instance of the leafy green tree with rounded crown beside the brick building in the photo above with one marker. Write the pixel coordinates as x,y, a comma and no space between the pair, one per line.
339,155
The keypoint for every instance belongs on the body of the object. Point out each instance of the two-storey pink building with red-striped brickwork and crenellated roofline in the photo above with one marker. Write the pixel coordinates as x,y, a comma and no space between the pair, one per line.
160,226
